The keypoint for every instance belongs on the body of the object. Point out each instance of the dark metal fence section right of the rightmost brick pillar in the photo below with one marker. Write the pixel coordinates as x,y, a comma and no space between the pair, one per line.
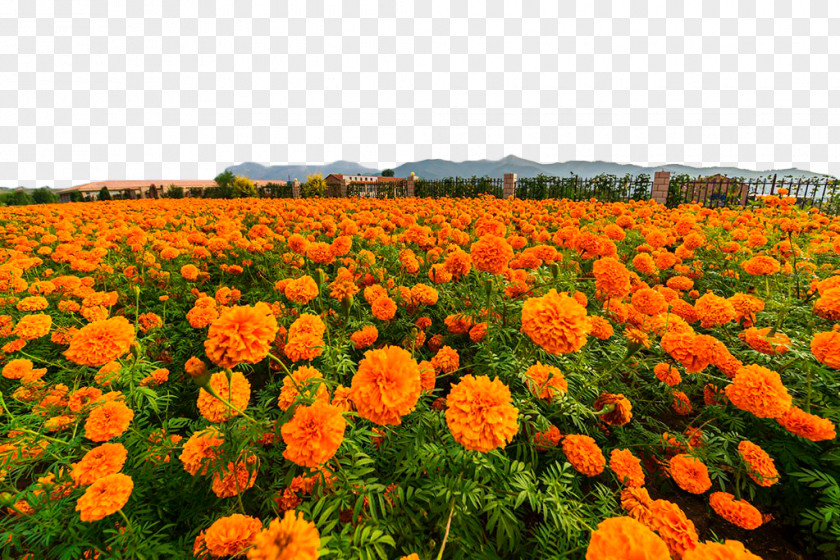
715,192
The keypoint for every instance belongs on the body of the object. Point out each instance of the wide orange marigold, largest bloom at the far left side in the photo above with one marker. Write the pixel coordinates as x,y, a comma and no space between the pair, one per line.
100,342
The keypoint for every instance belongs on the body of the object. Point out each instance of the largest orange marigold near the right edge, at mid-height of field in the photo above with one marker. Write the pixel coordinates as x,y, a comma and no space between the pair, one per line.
759,390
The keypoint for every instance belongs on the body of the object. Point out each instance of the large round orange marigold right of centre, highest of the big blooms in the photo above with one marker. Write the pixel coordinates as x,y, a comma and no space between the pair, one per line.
555,322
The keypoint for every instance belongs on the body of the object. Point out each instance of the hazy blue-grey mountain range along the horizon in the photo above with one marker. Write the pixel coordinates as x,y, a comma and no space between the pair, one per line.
440,168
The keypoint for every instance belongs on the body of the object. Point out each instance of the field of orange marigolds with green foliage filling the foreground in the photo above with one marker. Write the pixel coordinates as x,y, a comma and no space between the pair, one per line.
419,378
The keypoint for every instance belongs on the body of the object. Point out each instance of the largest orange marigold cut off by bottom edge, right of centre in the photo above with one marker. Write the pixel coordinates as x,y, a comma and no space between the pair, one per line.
624,537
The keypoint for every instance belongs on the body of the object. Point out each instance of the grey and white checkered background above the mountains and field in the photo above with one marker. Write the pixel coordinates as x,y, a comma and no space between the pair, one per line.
180,89
